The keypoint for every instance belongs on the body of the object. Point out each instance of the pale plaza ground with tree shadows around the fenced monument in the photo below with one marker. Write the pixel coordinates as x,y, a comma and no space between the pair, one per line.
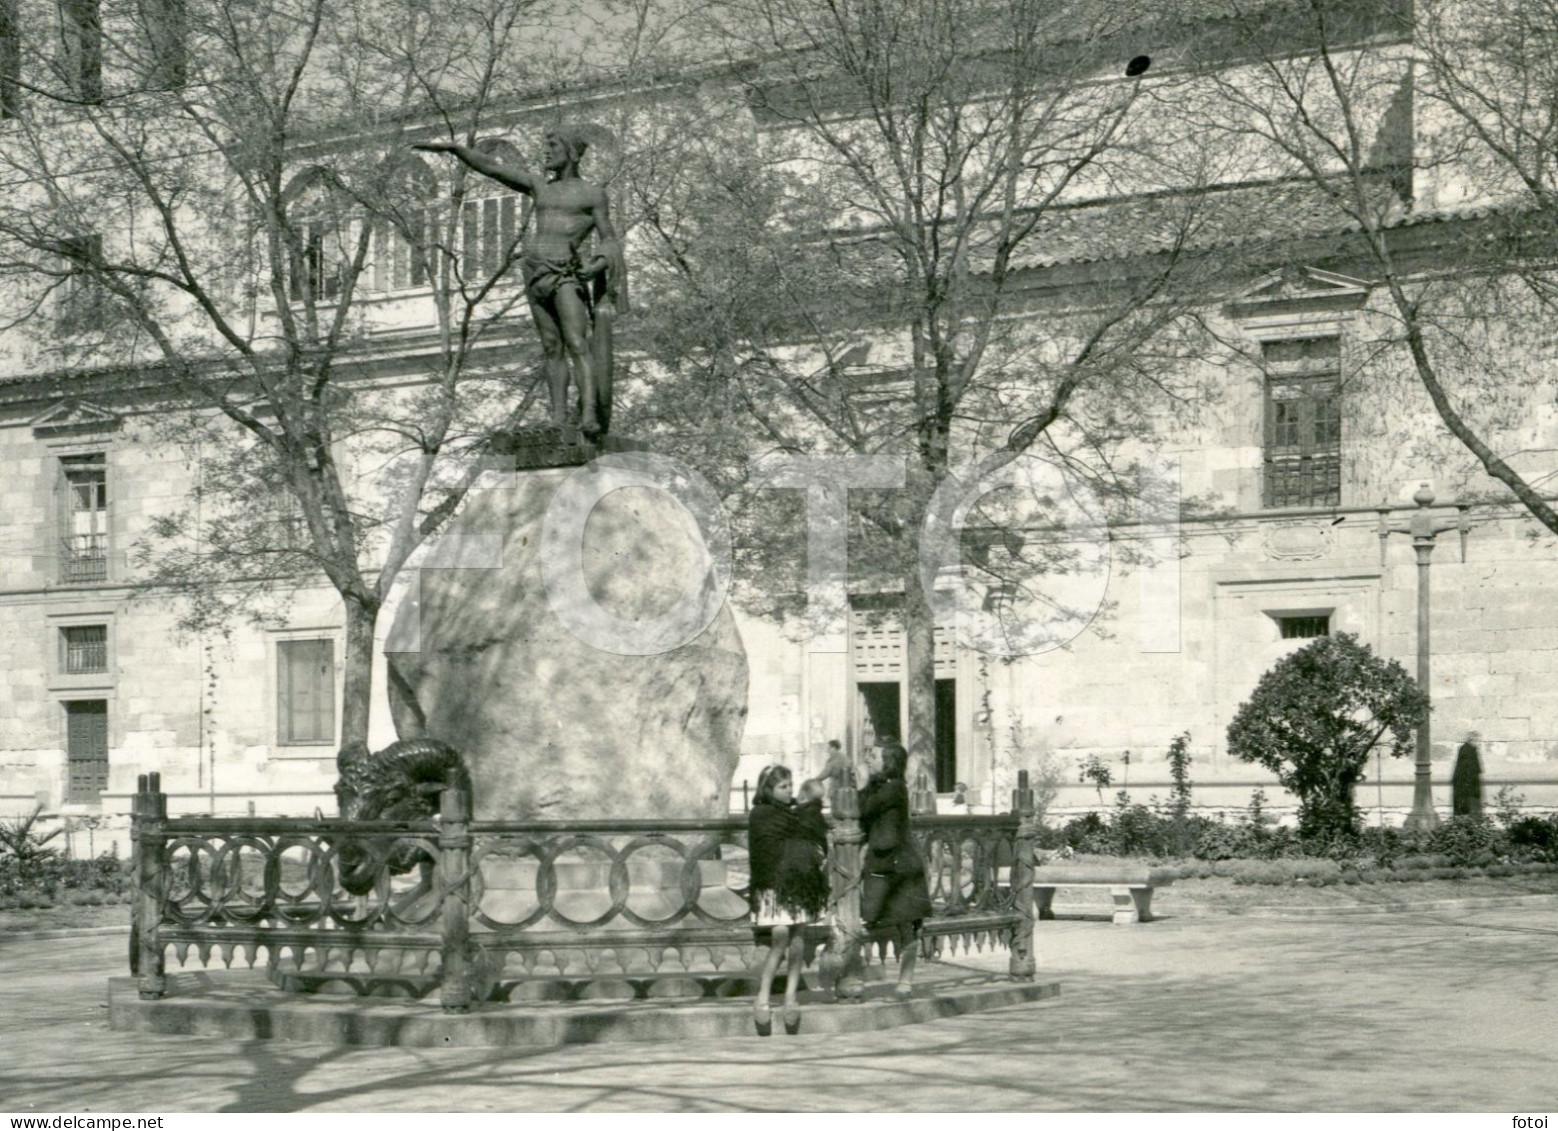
1439,1010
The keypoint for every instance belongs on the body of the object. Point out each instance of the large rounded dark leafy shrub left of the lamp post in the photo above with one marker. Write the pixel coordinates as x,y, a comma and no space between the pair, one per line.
1314,721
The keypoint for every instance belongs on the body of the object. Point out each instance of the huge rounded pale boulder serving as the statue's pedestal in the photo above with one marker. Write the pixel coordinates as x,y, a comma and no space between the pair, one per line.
551,727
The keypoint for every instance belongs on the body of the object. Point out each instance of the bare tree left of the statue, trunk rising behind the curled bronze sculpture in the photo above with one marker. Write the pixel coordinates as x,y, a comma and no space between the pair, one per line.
222,211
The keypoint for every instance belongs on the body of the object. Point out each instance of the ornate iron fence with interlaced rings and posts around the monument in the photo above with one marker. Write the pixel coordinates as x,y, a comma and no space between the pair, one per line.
527,911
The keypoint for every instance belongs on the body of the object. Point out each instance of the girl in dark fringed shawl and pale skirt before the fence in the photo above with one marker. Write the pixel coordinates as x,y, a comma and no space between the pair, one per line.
788,847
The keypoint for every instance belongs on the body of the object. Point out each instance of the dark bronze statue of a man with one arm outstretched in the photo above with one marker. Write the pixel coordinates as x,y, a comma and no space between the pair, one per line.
571,294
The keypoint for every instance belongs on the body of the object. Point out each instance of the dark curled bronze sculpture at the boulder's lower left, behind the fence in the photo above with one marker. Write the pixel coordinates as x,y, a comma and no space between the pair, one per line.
401,783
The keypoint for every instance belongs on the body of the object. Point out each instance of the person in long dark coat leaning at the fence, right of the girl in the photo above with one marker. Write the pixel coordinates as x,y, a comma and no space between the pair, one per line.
895,898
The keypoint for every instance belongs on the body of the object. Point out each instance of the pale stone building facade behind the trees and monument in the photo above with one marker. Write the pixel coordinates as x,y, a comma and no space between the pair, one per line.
1292,477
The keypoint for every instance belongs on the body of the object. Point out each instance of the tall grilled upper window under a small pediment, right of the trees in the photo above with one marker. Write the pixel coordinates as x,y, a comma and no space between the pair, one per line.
1303,434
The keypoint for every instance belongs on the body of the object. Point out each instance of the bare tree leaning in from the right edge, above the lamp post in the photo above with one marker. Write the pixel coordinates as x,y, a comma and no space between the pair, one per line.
1408,113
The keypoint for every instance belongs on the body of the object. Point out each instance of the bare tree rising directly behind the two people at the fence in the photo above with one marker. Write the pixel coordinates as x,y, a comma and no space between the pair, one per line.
850,261
